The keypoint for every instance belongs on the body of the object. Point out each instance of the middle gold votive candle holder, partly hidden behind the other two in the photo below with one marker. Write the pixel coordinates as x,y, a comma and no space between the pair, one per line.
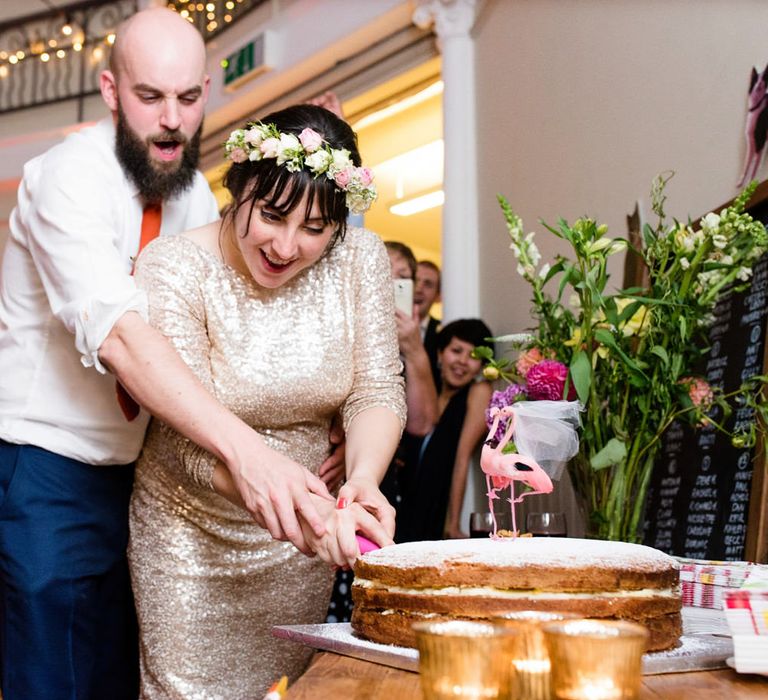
530,663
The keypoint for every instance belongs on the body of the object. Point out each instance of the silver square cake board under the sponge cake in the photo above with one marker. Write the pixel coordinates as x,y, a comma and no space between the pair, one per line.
695,652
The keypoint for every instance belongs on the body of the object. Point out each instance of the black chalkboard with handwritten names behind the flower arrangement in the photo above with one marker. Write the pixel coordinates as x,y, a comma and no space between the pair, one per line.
707,499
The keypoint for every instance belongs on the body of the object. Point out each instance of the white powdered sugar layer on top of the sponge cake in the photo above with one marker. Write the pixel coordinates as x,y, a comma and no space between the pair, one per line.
522,552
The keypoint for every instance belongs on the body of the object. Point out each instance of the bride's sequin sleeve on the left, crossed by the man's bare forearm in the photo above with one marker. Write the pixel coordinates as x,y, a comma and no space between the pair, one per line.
170,270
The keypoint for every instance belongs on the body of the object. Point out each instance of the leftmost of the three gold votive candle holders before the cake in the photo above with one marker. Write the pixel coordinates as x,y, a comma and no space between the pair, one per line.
465,660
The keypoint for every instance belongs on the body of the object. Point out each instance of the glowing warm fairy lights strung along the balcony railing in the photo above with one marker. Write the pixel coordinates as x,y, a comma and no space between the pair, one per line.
68,37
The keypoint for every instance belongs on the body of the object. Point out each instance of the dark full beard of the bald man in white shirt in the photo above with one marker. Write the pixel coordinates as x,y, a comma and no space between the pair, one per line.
156,180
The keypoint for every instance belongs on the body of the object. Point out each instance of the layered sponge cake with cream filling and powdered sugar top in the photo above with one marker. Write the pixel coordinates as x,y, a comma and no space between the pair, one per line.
485,578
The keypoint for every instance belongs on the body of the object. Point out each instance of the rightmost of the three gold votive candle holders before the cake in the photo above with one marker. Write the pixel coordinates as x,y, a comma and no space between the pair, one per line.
595,659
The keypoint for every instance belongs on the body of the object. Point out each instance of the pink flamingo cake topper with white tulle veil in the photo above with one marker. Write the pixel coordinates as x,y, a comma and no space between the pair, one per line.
503,469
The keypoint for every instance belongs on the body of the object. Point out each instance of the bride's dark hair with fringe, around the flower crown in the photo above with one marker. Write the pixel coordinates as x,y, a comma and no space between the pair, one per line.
282,190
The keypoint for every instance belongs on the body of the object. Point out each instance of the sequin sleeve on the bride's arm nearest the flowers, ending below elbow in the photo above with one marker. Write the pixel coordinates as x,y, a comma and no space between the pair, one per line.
378,377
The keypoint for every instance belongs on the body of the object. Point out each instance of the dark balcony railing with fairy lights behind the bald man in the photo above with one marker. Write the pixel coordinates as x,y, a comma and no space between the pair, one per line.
58,55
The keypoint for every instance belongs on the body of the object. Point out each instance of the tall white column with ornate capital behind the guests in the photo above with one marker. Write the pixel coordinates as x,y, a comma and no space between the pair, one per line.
453,21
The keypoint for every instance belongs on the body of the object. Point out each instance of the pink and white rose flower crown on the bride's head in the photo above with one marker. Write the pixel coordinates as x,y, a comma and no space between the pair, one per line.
307,150
